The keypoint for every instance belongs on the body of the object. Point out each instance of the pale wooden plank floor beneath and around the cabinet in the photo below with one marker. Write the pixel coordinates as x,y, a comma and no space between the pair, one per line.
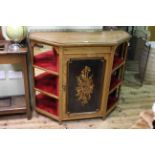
134,99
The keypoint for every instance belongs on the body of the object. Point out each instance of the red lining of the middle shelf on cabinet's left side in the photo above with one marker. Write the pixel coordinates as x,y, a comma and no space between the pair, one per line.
47,82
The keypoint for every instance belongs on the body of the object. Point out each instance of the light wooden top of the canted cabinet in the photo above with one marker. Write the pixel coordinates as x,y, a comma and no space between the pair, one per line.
103,38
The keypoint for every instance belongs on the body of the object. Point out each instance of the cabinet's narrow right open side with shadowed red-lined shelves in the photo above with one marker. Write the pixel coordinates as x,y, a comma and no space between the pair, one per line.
116,77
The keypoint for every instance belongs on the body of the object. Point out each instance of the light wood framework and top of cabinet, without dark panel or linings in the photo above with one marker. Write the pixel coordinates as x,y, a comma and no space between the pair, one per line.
72,46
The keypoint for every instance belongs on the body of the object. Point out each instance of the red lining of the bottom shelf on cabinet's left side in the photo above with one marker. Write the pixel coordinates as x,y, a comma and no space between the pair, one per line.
47,104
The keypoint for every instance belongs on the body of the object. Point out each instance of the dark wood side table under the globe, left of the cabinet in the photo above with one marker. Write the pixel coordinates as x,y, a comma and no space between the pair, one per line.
17,58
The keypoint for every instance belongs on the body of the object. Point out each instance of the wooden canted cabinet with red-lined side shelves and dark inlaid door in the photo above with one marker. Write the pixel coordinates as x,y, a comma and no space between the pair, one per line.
77,75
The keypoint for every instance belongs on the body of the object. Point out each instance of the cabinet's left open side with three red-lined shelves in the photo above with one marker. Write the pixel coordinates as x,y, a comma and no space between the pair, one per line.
46,77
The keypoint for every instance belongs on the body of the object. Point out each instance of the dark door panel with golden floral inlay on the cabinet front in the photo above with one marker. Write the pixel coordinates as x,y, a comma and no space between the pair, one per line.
84,84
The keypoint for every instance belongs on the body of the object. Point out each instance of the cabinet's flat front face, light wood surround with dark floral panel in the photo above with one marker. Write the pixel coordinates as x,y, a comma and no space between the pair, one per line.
86,79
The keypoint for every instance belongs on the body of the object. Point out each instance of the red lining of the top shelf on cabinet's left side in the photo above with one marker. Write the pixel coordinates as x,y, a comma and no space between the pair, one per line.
48,60
